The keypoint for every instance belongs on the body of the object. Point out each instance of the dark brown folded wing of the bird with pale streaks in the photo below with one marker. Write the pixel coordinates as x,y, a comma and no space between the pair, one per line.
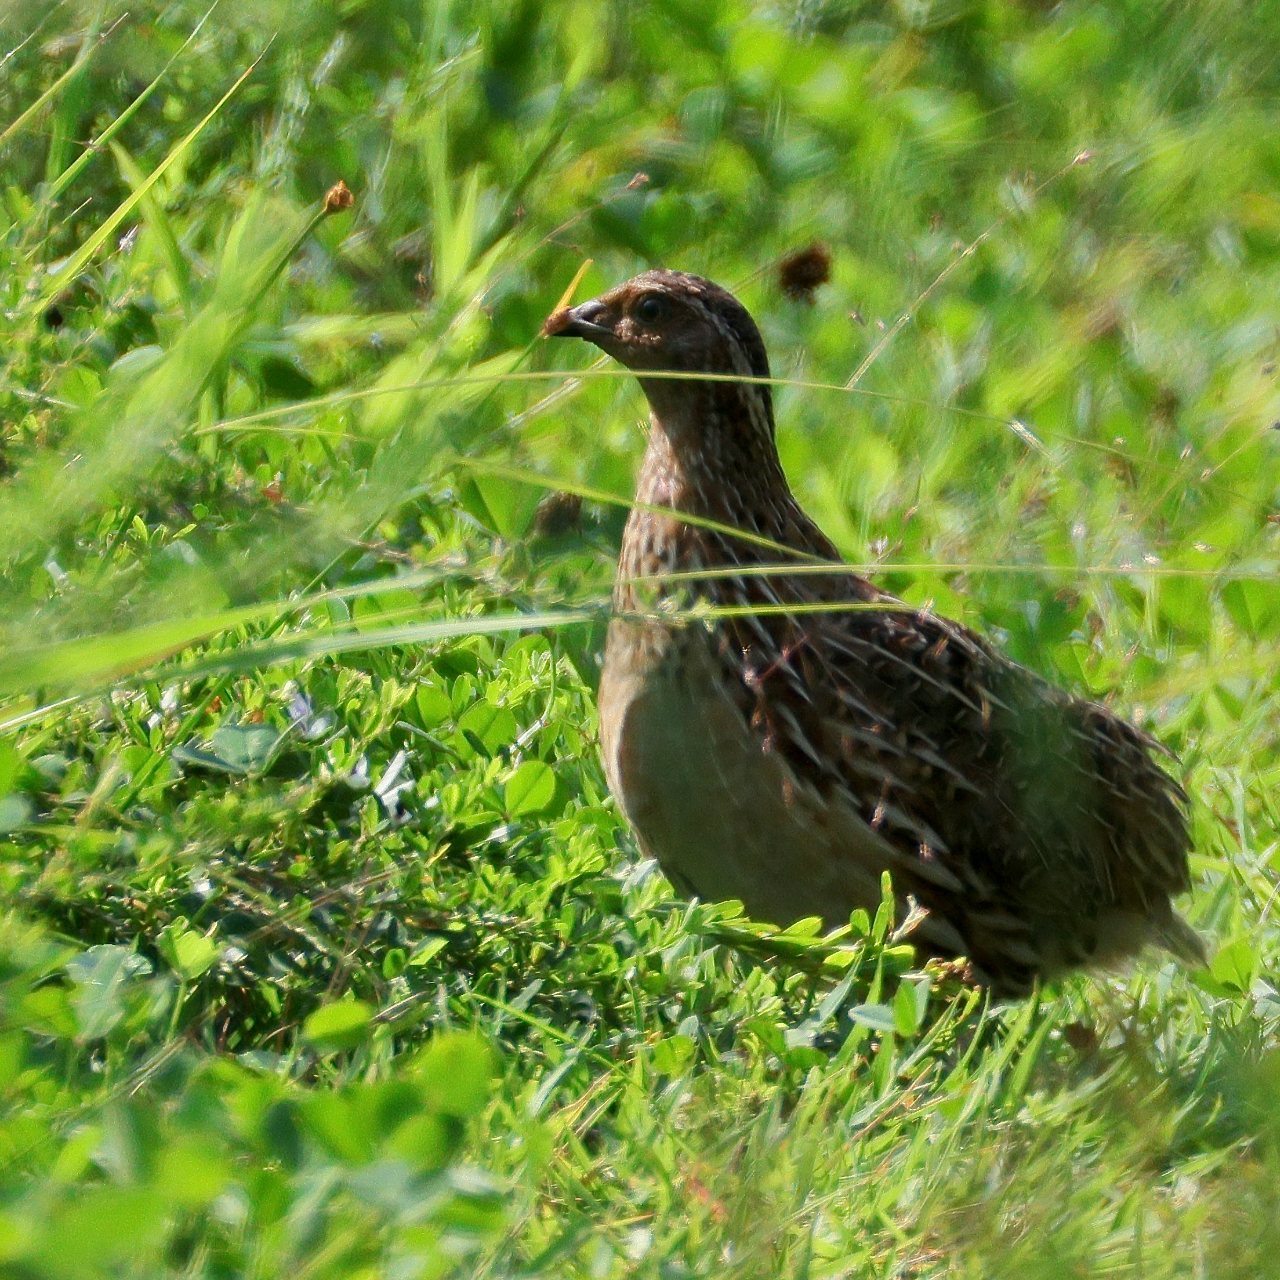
1014,798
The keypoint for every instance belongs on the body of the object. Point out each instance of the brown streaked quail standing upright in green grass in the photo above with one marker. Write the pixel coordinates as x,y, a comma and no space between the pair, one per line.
780,732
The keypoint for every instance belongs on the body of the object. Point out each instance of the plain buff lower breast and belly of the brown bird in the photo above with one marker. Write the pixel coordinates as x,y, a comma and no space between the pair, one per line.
725,816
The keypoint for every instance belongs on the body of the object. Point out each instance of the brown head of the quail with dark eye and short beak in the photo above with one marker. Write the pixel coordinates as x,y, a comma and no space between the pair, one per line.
670,322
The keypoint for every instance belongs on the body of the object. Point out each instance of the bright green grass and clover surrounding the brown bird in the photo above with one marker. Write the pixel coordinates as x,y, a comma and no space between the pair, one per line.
324,952
